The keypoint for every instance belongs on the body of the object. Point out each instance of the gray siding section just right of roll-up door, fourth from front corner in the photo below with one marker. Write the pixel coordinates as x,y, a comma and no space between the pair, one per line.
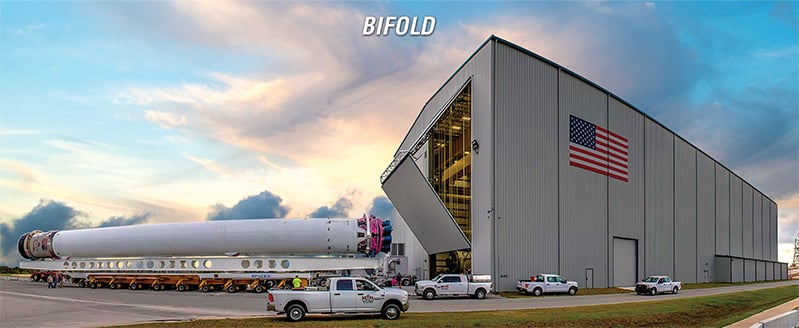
659,199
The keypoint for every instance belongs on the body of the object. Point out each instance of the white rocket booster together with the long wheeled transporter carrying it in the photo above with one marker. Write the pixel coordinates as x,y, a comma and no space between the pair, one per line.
231,255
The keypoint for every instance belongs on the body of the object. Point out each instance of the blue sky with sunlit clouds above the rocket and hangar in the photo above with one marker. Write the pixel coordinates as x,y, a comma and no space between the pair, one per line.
115,113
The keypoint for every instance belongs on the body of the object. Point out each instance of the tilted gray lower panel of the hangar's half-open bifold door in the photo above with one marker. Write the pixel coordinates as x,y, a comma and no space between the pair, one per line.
422,209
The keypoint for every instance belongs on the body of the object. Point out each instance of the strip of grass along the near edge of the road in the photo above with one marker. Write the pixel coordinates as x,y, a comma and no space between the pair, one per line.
716,310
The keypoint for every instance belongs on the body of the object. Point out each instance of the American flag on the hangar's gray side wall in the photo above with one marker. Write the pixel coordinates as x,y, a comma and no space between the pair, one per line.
596,149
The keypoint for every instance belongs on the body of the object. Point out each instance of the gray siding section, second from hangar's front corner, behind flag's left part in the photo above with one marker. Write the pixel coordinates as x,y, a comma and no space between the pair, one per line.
583,194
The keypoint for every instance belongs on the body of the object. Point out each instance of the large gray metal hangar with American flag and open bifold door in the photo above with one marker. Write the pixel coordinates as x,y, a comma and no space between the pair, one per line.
518,166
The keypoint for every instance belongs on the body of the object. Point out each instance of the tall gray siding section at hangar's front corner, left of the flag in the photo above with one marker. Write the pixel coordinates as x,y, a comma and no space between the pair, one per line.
526,132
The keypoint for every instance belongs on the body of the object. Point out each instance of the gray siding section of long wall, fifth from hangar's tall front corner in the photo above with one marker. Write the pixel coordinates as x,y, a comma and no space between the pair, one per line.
685,231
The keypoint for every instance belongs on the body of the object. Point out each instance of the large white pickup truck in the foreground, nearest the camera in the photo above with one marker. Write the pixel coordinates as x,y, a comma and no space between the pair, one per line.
345,295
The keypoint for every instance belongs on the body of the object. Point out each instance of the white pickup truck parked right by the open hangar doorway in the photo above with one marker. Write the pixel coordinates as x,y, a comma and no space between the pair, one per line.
476,286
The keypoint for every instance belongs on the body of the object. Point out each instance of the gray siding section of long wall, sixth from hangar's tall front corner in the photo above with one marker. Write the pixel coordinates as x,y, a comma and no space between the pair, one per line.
705,217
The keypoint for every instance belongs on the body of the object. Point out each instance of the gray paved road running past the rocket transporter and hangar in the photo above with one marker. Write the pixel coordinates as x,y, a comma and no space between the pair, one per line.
25,303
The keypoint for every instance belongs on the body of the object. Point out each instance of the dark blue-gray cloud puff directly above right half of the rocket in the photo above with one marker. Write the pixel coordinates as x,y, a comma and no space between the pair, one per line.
260,206
